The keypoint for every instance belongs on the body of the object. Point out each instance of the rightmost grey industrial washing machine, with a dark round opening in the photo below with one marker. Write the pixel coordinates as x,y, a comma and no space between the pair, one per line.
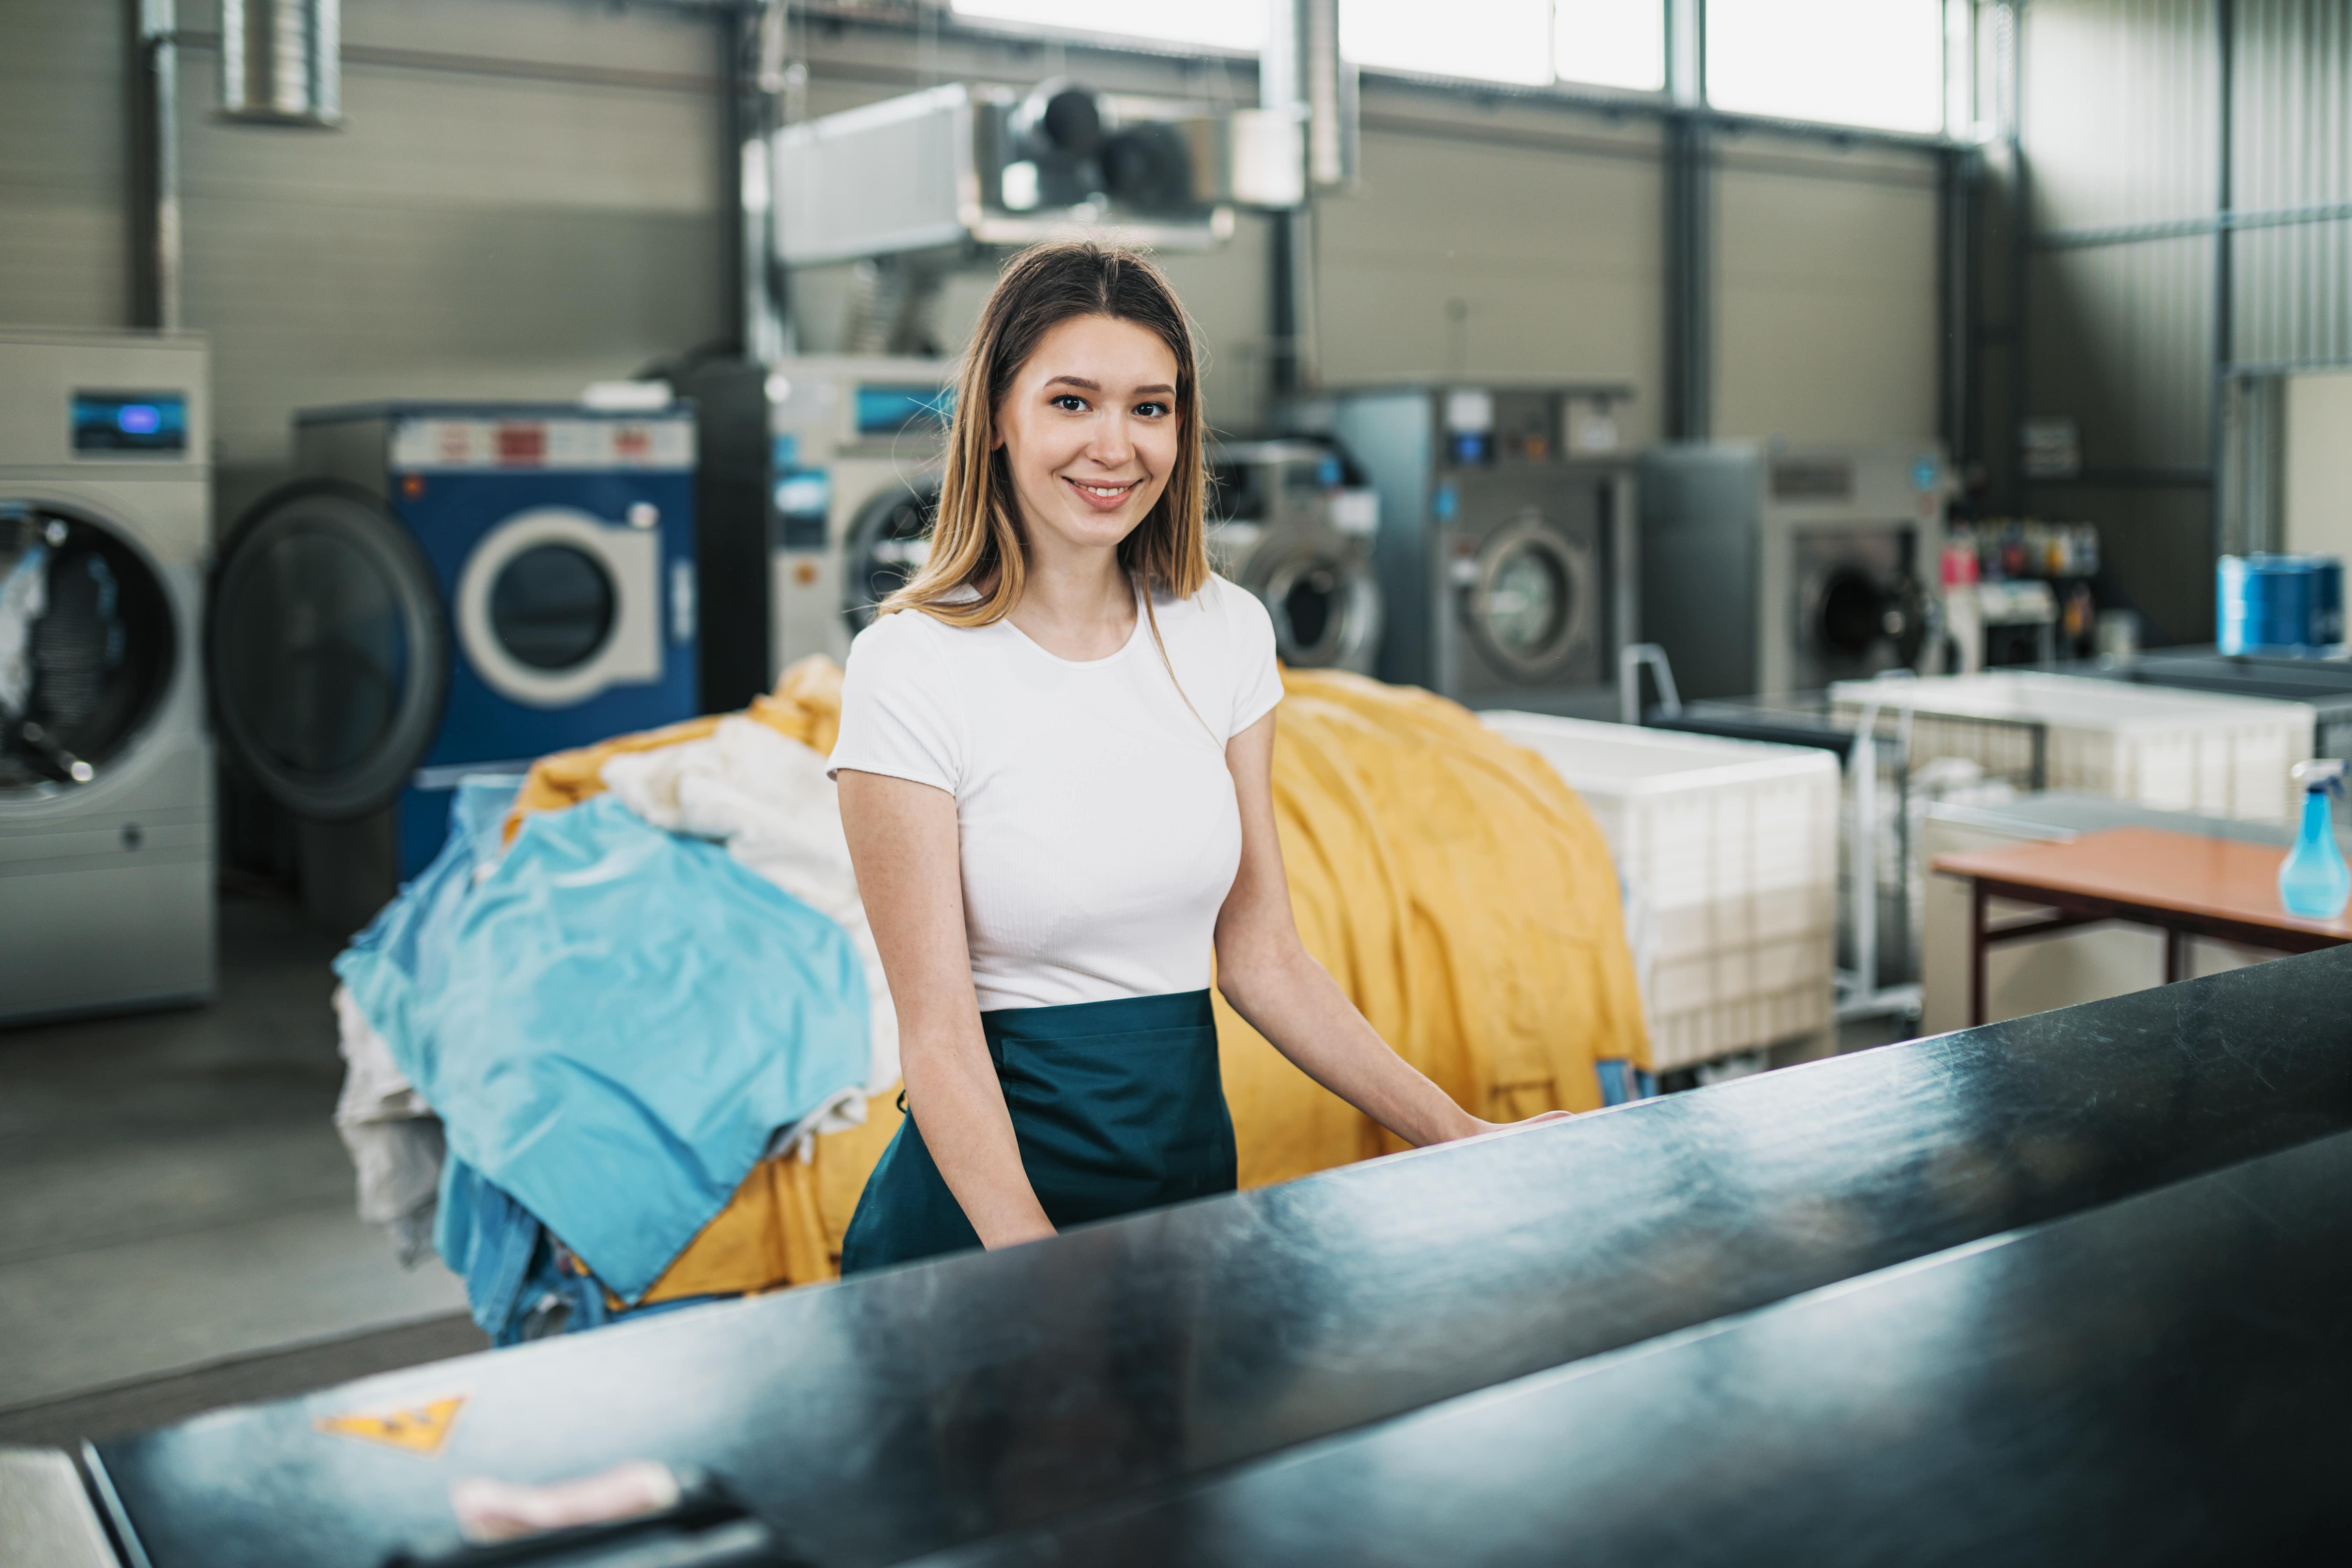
1775,572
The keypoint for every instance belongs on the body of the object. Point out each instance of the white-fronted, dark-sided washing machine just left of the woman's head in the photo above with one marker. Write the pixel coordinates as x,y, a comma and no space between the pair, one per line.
820,481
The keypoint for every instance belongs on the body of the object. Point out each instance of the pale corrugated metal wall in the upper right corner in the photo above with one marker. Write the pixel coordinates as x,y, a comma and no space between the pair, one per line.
2123,145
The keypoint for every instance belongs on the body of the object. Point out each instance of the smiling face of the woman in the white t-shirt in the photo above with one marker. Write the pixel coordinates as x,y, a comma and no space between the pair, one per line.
1090,431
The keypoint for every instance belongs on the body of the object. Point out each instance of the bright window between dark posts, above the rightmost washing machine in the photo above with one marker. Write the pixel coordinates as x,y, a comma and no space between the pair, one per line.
1847,62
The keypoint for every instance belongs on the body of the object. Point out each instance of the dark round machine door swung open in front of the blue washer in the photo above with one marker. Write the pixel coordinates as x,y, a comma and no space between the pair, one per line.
328,650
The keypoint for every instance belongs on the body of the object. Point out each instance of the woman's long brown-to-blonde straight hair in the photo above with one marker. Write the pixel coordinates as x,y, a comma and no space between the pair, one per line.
977,532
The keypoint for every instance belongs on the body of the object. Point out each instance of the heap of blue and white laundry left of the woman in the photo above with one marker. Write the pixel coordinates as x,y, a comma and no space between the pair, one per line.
568,1047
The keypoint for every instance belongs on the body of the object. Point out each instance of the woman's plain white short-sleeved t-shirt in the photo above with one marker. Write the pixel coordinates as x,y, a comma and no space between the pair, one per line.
1097,817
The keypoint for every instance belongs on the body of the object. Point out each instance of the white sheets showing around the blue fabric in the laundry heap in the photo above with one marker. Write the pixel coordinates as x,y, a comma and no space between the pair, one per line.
747,786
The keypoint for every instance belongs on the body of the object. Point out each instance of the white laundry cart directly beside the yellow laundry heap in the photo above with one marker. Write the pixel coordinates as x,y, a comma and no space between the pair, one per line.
1730,857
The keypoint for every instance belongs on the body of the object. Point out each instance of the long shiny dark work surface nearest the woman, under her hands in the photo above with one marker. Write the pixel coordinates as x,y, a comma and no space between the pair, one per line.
923,1409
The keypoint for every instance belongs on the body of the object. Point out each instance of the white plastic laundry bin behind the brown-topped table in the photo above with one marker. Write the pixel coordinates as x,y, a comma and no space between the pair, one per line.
2174,751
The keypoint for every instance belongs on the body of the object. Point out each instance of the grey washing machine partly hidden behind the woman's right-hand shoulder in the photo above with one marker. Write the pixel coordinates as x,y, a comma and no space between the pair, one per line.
1288,525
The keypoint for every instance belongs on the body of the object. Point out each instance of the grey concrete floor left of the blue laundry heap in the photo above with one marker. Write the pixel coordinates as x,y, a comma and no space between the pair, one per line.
175,1198
